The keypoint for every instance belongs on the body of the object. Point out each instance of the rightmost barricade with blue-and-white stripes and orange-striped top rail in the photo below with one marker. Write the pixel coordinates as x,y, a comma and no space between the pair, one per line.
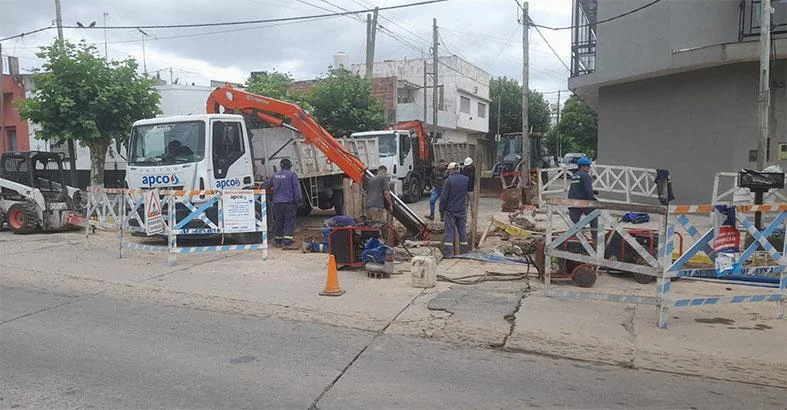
702,247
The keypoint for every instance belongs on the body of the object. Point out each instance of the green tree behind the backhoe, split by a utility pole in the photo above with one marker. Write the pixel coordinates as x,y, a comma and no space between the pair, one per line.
508,93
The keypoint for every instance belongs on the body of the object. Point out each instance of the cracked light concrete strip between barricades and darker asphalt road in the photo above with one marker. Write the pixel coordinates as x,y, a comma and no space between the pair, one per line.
740,343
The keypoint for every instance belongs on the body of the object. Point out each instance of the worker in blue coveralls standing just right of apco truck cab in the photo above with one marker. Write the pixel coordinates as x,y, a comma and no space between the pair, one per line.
286,196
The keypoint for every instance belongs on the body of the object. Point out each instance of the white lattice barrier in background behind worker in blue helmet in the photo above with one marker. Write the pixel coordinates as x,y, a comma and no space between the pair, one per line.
626,181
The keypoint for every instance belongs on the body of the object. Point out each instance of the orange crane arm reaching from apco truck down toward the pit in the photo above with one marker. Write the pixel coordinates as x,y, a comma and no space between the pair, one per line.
289,115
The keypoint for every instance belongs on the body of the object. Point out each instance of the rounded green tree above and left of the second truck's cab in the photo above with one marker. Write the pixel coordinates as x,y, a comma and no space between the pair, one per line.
342,103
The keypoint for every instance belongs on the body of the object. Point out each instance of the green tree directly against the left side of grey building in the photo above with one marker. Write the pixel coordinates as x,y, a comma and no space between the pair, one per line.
578,127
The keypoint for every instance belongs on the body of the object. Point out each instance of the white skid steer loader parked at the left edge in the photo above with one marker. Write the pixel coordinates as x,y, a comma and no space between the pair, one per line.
33,194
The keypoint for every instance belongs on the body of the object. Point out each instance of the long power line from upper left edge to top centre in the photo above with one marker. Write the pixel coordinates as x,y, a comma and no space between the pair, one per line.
235,23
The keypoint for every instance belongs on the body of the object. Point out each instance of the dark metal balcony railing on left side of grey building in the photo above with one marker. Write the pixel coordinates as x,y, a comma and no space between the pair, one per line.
583,37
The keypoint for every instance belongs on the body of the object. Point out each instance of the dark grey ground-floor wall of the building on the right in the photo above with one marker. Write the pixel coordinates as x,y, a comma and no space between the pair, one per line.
694,124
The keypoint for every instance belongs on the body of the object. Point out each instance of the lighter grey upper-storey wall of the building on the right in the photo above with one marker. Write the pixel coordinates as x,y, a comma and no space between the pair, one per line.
643,42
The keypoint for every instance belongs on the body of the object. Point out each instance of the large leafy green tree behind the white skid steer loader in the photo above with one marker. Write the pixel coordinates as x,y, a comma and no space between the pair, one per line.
83,97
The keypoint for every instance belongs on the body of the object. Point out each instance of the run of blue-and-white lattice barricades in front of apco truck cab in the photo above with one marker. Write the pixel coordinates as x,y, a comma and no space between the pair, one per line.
183,214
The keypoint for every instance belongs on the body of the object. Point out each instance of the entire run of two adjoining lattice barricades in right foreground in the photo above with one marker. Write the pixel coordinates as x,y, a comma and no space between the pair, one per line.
666,263
